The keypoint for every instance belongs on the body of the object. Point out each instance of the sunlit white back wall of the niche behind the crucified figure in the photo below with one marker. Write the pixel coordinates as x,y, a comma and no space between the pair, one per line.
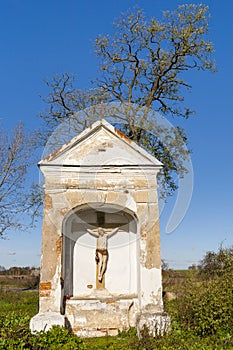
121,273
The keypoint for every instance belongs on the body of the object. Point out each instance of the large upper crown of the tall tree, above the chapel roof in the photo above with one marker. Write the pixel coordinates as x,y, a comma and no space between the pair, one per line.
145,60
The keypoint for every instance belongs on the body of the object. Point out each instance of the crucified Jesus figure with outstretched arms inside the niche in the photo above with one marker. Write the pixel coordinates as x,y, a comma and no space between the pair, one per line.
101,248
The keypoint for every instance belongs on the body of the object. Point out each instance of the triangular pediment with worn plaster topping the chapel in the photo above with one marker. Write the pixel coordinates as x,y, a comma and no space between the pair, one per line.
101,145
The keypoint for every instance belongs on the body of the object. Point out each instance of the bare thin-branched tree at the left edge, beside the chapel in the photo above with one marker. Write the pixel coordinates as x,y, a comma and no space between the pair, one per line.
15,197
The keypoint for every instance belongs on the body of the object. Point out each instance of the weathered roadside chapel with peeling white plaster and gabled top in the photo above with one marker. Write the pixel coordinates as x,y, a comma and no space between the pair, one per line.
100,263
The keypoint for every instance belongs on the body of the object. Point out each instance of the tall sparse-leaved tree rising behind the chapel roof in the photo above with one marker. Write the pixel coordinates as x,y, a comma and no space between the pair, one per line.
142,70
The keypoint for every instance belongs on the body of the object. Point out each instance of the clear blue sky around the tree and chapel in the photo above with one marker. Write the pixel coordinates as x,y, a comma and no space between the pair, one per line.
41,38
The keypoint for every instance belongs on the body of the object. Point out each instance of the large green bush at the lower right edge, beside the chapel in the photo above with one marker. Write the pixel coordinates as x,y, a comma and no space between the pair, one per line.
207,306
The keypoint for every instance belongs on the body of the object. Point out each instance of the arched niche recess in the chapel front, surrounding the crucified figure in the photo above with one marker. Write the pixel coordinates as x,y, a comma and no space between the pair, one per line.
79,267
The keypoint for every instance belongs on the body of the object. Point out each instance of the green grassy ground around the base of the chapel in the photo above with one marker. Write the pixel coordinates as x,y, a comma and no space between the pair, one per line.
17,307
